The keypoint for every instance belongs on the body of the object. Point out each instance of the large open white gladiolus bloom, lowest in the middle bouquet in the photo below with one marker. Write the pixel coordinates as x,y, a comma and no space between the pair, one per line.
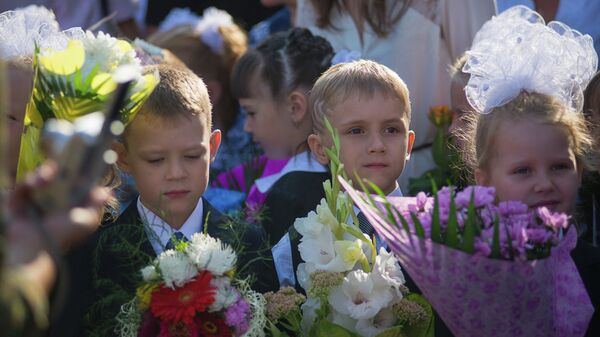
359,297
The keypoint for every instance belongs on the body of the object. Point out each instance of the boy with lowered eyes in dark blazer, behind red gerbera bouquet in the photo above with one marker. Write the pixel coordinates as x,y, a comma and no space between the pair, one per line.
167,149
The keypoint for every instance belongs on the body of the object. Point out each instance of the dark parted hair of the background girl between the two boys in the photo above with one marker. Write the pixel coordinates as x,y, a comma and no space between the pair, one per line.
285,61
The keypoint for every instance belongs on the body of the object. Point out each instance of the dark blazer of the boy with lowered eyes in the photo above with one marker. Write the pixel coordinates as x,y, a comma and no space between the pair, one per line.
122,248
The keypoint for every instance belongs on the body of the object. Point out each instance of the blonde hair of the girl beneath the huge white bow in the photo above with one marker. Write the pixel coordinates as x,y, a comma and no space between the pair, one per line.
546,109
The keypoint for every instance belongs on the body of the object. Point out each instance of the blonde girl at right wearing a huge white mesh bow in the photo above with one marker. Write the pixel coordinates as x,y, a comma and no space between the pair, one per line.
530,141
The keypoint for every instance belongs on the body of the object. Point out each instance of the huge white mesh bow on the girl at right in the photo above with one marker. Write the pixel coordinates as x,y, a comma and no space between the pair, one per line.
516,51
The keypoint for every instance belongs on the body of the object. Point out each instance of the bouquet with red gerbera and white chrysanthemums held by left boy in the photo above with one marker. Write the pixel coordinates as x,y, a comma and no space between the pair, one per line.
191,291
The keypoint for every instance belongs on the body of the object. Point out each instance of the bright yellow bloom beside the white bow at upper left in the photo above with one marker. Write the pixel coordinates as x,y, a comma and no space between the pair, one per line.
64,62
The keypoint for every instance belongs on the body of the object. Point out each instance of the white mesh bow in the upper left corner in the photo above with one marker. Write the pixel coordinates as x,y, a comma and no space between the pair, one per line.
21,29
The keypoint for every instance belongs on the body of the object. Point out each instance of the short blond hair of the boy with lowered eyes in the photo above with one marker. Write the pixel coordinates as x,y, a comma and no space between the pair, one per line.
180,93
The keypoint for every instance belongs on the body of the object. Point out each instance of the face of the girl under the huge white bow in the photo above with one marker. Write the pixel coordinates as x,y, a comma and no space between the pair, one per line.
533,163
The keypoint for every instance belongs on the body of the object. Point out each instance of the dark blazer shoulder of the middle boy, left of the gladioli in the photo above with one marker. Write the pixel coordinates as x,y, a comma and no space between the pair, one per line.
292,196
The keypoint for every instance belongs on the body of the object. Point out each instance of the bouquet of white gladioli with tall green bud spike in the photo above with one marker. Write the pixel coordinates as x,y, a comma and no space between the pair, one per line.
352,289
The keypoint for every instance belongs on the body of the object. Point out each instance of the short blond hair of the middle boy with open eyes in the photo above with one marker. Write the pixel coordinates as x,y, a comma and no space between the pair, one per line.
361,77
